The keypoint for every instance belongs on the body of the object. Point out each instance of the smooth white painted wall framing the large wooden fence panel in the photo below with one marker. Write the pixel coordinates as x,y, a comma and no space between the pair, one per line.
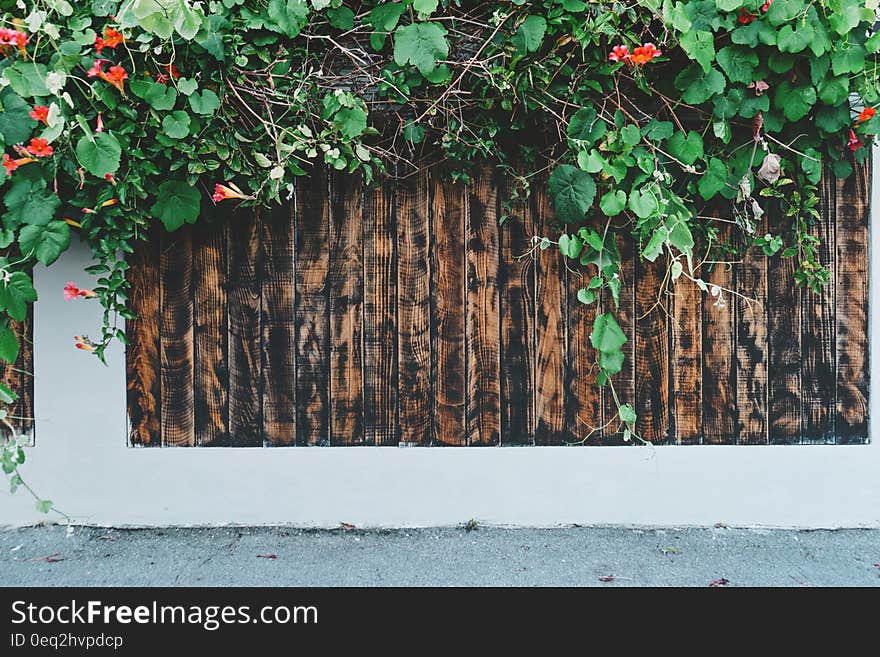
81,461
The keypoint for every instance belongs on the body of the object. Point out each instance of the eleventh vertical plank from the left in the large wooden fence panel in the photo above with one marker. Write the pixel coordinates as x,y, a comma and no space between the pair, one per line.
482,322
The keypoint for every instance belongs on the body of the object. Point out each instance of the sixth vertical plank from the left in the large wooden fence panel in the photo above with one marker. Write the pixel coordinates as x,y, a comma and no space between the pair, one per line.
312,310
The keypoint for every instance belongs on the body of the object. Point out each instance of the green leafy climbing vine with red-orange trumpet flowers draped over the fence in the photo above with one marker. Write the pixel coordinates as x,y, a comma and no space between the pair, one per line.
663,120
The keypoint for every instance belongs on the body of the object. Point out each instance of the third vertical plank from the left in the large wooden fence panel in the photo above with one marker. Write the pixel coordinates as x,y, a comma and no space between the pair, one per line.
211,336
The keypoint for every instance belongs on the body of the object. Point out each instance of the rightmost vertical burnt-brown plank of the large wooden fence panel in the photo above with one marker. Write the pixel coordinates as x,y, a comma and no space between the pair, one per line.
851,292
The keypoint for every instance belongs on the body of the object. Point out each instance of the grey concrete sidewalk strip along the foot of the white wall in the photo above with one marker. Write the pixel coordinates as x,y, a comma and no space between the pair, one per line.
474,556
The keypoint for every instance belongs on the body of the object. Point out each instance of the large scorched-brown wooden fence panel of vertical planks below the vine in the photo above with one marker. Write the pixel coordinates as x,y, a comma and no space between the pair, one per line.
404,314
